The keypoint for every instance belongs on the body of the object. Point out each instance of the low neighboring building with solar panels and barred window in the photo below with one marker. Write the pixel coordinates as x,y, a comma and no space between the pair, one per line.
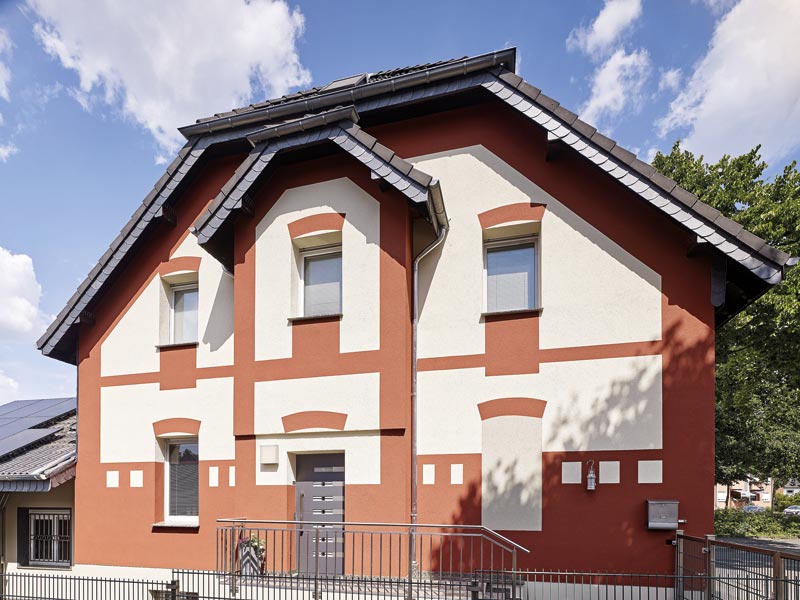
38,454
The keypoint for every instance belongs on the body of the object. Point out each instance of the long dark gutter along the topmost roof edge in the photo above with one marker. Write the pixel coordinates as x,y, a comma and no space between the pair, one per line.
317,102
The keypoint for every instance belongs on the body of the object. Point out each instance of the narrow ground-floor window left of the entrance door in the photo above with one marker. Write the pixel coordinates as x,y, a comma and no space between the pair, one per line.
182,479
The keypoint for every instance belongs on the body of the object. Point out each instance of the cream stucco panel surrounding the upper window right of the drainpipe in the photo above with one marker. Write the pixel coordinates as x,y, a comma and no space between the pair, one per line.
593,292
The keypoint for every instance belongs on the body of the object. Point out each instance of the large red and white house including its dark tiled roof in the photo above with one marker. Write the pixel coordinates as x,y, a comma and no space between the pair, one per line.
253,326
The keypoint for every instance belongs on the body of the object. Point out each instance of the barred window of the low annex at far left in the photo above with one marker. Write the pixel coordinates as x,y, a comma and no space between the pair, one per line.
49,538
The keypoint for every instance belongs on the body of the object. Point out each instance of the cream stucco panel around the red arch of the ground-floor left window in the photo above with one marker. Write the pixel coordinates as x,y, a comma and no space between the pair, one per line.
127,414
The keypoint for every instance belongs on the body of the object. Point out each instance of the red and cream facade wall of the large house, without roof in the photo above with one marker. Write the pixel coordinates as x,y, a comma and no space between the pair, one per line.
615,365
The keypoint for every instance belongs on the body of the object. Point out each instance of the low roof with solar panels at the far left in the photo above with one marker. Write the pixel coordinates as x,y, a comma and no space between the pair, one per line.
38,444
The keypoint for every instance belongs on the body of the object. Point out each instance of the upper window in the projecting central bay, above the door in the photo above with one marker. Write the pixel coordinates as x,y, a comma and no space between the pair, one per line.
322,282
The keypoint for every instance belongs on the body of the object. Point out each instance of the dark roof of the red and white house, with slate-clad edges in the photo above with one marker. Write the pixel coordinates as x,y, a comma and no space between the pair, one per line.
749,265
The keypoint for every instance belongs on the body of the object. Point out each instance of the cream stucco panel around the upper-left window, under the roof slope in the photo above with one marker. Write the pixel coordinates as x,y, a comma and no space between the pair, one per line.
131,345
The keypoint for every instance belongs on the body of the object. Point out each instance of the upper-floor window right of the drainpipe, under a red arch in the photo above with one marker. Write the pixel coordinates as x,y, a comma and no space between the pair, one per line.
511,275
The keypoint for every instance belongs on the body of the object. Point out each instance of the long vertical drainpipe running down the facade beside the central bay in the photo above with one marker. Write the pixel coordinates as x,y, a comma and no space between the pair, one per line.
441,227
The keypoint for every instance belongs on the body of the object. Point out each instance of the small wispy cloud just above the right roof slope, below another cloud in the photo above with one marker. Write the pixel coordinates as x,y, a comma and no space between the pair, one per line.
616,86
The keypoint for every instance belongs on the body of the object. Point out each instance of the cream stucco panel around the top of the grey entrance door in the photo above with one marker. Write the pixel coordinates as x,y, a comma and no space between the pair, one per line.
362,455
